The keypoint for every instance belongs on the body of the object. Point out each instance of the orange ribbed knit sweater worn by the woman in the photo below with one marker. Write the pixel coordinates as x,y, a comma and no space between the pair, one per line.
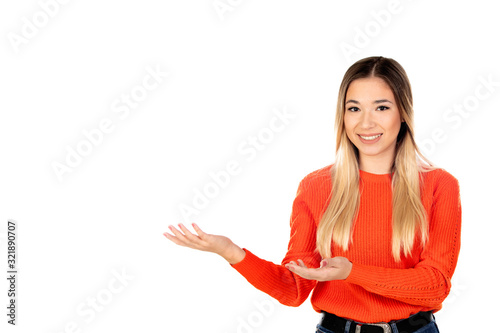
378,288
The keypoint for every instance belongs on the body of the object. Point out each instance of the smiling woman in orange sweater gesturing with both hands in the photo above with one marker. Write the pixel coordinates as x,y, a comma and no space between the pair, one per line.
375,235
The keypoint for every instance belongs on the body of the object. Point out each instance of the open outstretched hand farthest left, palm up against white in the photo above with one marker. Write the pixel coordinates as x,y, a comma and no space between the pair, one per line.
220,245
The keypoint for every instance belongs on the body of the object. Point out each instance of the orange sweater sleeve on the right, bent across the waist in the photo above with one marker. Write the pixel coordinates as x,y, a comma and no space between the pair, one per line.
429,282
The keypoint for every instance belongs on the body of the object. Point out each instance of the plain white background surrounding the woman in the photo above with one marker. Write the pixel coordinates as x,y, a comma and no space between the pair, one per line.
227,72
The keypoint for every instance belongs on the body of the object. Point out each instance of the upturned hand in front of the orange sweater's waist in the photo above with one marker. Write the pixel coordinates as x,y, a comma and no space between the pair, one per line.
337,268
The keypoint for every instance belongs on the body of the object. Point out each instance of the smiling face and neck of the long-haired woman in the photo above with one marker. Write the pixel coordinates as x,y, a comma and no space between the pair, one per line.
372,120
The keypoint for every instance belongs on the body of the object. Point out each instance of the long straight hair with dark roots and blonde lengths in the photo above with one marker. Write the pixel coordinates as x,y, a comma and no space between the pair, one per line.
408,213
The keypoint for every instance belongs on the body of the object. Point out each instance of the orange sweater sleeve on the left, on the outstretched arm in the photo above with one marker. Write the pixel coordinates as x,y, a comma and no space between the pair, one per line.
276,280
